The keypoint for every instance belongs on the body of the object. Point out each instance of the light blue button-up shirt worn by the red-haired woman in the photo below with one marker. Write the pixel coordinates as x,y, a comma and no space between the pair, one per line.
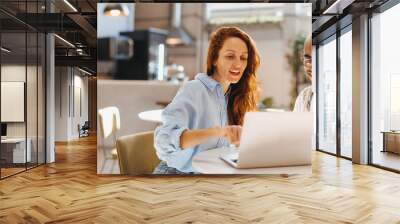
199,104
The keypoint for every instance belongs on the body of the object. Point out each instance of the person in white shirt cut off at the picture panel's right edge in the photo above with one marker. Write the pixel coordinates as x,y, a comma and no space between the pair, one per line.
304,101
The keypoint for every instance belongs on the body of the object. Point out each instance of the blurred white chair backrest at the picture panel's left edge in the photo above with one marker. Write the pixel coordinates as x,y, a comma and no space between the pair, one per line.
109,121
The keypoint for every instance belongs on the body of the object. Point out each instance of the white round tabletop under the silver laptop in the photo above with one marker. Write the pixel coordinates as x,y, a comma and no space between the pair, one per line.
209,162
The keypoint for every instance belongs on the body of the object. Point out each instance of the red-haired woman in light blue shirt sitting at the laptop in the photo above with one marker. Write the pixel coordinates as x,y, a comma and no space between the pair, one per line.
208,111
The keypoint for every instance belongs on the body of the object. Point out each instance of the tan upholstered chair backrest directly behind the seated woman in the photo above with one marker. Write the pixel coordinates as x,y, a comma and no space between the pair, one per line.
136,153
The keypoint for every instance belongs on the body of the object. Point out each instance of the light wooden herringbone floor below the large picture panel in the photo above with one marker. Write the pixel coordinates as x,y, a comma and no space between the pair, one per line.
70,191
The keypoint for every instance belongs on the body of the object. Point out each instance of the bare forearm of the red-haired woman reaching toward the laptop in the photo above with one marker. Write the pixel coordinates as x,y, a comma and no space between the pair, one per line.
190,138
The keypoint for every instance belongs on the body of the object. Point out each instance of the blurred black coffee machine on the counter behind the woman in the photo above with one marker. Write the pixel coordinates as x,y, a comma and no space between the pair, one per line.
143,60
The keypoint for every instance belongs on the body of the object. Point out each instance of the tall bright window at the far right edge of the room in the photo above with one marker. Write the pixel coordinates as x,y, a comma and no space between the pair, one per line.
385,84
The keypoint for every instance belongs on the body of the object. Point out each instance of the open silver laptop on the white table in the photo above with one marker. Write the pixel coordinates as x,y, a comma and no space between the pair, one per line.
273,139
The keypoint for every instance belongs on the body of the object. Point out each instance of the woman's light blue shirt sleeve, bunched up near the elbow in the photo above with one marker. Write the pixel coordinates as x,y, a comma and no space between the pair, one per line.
176,118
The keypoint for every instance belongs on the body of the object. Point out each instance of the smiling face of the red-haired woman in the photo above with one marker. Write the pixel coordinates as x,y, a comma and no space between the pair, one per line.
232,60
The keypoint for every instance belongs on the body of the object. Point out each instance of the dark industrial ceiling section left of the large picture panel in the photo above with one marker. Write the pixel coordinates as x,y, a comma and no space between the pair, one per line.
31,16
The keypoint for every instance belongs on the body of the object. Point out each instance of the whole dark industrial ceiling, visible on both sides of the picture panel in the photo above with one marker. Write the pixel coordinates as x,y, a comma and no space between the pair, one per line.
79,28
